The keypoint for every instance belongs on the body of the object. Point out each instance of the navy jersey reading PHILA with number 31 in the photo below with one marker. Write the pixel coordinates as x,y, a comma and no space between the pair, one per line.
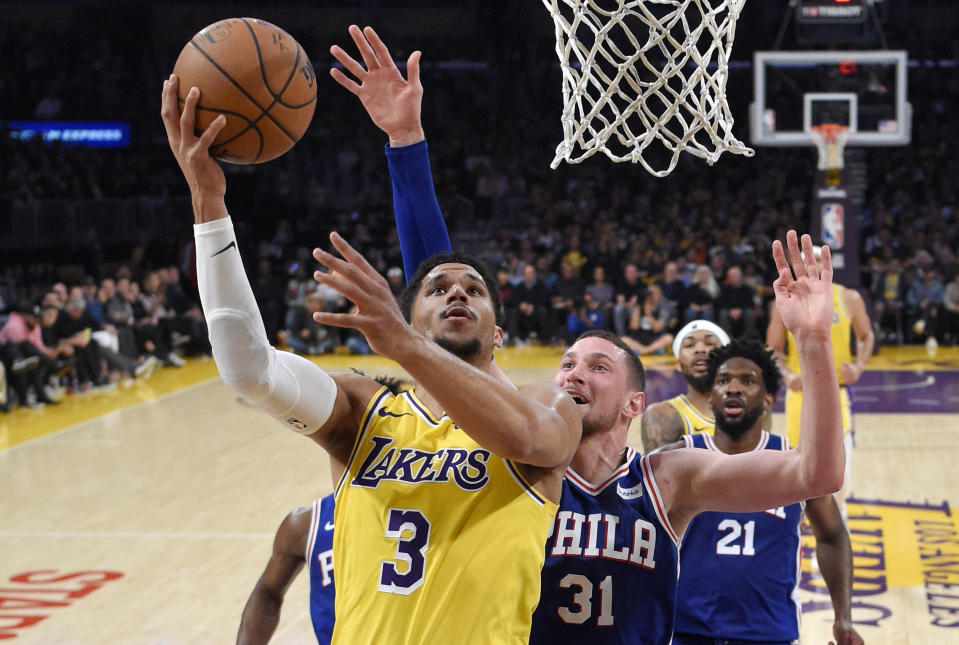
612,563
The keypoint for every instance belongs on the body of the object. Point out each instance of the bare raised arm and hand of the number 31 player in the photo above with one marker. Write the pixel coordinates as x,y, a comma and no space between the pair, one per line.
696,480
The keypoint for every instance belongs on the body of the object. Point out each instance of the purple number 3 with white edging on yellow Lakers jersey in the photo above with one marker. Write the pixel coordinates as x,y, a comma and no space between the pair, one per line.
411,530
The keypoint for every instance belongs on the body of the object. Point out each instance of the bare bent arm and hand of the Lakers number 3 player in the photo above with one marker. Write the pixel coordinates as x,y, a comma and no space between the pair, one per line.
539,425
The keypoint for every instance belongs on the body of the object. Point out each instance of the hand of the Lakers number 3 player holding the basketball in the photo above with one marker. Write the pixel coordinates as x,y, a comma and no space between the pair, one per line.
192,152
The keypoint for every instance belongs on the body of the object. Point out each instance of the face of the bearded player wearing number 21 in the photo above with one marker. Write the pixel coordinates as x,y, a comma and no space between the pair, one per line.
738,397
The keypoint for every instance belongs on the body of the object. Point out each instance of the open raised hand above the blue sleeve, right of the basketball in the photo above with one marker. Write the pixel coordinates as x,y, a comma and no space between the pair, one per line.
391,101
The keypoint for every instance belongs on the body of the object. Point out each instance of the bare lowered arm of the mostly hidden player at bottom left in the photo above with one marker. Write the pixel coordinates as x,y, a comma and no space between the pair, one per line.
262,611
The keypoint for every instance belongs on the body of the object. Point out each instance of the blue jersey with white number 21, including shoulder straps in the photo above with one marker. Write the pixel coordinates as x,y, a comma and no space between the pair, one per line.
741,575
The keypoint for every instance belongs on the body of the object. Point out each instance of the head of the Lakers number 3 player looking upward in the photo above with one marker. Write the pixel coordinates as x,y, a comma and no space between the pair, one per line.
453,307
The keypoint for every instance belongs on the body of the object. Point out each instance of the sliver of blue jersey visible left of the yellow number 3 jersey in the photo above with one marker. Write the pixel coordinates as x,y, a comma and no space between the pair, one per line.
319,560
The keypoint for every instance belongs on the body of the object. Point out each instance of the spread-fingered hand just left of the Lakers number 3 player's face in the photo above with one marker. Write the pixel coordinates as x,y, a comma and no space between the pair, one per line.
376,314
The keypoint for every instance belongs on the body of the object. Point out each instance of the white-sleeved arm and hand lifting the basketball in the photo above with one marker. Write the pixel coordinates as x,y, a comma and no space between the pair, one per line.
288,387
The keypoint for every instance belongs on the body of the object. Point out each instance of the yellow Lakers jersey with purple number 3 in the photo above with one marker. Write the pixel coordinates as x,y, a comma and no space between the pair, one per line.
437,540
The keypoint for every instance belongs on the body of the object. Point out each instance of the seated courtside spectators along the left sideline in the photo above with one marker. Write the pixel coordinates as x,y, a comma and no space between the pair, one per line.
92,335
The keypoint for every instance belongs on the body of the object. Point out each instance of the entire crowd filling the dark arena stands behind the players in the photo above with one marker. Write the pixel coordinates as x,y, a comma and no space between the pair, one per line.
593,245
